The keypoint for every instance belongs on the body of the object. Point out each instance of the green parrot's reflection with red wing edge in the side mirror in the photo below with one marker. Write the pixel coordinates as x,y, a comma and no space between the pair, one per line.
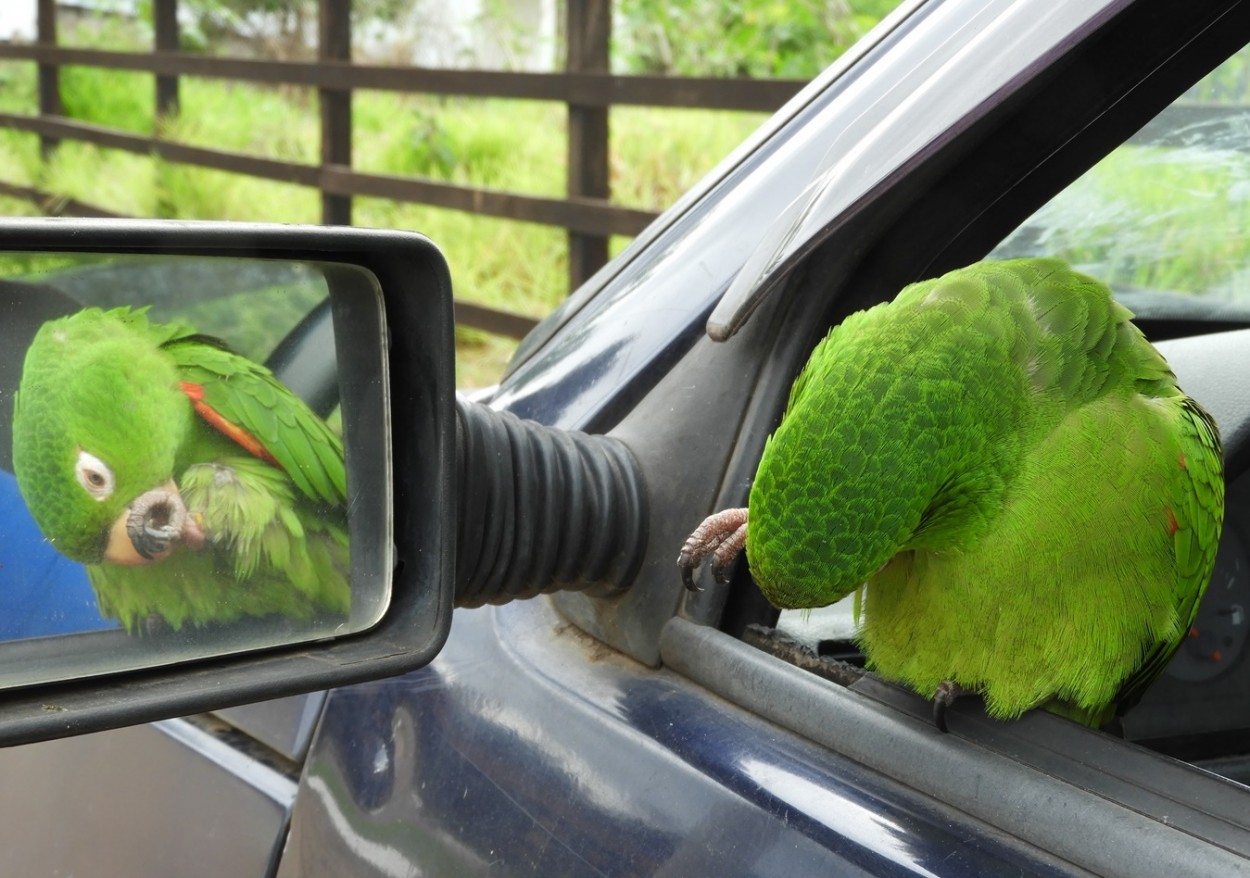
193,485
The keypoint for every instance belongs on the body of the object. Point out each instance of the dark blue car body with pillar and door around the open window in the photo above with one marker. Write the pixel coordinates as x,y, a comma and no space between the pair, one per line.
636,734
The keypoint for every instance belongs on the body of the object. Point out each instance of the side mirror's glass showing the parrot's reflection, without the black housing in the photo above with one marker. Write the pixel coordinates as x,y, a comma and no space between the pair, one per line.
181,448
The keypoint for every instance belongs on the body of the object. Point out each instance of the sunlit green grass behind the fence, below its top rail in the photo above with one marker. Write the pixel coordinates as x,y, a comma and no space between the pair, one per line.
517,147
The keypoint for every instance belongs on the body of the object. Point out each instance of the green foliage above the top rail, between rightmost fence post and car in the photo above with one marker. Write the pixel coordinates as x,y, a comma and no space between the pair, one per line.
741,38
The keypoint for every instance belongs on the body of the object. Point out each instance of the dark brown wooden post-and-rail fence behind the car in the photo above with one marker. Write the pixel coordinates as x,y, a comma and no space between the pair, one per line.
587,87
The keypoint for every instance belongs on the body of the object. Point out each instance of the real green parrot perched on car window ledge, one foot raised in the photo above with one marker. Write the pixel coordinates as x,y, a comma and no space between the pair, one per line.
1007,475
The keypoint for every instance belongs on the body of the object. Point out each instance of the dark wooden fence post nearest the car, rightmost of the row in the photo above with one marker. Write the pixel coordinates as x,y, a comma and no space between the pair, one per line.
589,29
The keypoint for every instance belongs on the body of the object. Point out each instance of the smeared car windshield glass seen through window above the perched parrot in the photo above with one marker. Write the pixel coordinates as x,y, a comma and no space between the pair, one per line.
1164,216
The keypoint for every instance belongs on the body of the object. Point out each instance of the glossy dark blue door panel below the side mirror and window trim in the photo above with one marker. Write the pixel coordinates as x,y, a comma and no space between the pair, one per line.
531,750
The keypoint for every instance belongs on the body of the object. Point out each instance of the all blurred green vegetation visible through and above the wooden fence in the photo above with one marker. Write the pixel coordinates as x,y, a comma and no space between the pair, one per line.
657,154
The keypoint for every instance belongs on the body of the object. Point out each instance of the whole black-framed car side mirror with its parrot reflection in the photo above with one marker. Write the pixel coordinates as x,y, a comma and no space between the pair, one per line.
228,472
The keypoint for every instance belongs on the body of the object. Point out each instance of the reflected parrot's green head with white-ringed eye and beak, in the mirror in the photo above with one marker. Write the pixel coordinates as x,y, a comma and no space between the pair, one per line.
98,425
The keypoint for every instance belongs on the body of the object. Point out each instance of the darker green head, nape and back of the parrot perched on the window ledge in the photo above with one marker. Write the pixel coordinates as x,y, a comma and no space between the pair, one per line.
923,407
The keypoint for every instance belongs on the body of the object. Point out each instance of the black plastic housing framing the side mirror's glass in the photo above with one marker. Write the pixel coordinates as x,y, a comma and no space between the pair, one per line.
417,416
